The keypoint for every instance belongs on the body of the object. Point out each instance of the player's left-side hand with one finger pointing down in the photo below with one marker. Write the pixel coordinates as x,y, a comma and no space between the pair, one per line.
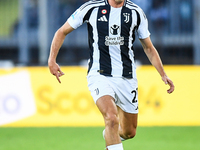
55,70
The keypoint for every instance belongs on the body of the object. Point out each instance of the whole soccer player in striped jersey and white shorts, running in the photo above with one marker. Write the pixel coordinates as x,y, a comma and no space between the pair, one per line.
112,25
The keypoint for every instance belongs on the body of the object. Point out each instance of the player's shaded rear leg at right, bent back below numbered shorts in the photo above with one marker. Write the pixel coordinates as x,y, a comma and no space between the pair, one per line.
128,124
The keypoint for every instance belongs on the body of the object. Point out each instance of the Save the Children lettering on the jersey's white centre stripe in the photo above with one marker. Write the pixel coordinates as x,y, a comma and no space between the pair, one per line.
114,40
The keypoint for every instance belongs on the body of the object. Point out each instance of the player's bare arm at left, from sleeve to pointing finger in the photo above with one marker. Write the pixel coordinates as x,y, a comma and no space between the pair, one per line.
56,44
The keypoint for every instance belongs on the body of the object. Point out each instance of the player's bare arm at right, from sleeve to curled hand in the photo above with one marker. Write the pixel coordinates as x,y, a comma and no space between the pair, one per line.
155,60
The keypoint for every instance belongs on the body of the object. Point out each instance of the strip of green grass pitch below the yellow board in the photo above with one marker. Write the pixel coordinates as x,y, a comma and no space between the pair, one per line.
90,138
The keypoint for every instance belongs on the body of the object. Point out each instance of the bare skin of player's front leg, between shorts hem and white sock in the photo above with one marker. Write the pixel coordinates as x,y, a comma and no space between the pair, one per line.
107,107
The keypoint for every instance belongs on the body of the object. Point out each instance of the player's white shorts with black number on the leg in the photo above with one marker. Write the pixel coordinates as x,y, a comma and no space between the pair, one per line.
123,90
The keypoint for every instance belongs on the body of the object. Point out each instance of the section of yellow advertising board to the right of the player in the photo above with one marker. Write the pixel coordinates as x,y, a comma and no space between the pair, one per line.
157,107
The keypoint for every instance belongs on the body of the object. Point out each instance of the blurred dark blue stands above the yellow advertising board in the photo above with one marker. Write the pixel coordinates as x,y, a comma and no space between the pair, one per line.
27,28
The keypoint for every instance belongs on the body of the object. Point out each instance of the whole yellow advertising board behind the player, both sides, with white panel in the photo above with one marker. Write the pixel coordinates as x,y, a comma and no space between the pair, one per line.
33,97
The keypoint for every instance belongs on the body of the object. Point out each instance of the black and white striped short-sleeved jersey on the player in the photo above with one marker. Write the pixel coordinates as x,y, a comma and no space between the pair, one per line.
111,33
